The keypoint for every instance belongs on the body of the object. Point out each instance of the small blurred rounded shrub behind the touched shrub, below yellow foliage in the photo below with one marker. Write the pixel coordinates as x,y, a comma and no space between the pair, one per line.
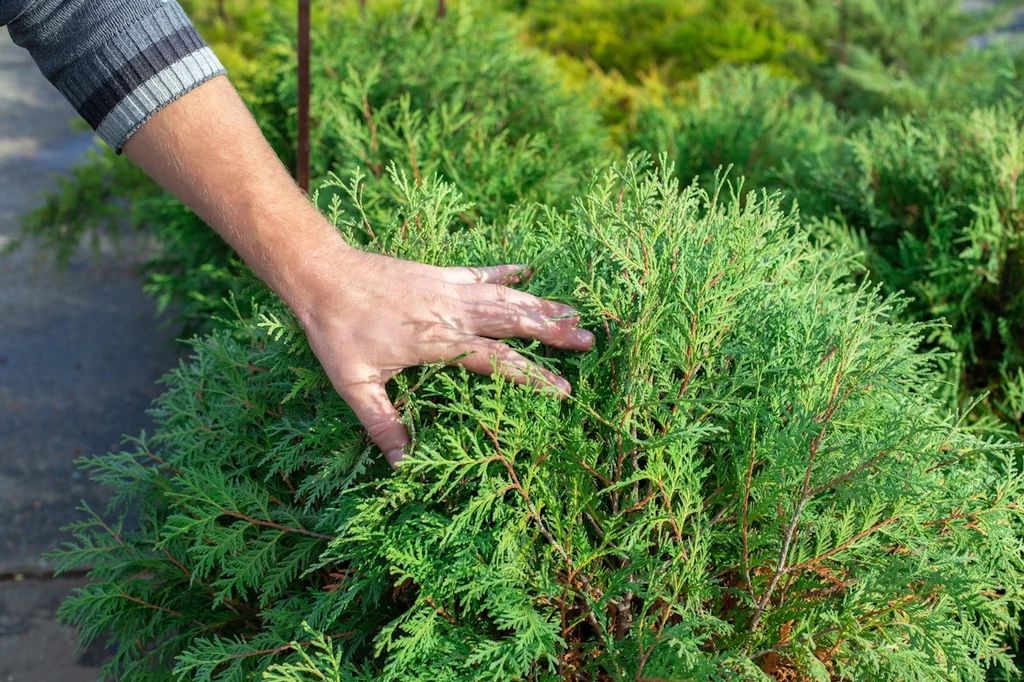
767,129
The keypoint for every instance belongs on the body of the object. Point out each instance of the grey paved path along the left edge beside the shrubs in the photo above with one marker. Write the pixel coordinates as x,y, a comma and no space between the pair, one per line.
79,355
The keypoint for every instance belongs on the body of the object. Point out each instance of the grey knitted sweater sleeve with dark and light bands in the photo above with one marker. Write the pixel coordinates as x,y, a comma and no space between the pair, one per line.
117,62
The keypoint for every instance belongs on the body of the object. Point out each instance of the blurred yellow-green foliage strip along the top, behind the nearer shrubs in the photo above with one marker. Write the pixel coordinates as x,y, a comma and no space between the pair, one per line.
865,56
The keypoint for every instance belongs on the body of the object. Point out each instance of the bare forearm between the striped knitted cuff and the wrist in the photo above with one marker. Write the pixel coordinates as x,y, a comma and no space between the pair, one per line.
207,150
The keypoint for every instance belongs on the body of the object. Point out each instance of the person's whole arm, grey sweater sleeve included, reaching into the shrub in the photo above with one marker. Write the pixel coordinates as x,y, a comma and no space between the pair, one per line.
367,317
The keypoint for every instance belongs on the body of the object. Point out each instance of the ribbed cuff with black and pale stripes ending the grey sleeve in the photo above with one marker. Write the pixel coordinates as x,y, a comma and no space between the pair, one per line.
150,65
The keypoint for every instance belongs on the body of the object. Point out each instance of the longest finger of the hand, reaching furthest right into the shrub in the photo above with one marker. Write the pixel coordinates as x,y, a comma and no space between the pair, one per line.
502,321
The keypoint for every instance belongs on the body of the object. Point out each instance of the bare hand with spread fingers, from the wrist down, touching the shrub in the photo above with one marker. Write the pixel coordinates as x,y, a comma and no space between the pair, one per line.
371,317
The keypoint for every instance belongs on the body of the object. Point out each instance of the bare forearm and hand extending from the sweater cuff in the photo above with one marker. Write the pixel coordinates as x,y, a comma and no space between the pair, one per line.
367,317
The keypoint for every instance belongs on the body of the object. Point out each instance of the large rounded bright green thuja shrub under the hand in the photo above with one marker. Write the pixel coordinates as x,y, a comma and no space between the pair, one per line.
751,481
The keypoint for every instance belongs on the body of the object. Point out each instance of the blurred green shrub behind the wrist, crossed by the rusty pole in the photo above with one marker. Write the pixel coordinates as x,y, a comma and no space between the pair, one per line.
459,98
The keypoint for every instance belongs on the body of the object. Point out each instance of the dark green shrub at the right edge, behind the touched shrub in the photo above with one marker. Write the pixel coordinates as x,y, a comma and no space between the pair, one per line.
933,203
